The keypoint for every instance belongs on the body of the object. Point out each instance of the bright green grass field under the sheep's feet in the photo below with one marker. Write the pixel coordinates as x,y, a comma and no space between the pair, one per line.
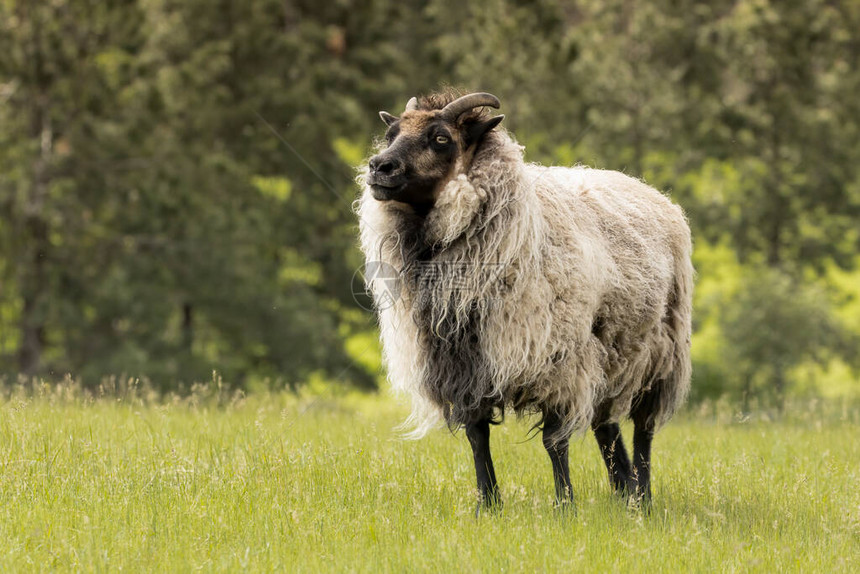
277,482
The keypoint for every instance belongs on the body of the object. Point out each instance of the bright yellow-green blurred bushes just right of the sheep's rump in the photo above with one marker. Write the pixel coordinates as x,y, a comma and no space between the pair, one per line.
762,333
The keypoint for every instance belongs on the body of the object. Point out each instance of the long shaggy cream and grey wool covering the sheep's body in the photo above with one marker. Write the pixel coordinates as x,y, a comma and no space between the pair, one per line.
577,297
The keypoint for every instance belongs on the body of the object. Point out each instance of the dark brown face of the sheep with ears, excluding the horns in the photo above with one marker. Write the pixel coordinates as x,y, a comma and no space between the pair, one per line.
423,147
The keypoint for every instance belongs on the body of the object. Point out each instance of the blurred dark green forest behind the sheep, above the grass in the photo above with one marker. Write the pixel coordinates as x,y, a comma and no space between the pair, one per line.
176,176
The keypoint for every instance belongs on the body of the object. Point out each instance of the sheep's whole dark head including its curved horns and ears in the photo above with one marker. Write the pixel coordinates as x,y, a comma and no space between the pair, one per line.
426,145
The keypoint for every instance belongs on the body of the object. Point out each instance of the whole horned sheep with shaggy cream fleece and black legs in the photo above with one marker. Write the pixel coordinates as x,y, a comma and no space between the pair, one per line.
564,292
